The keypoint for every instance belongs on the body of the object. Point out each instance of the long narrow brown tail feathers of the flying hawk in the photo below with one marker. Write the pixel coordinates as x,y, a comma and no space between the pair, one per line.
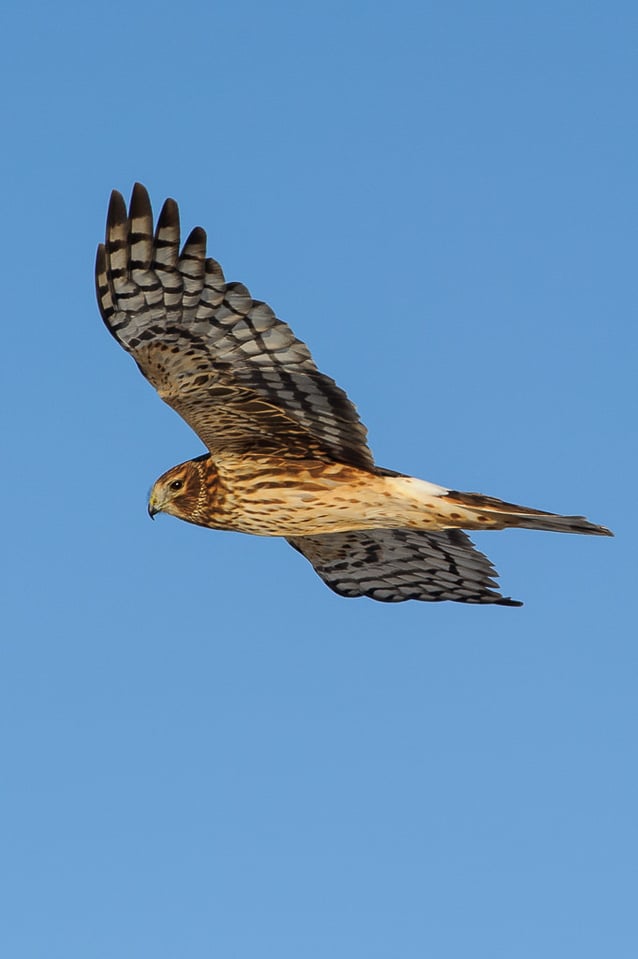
486,512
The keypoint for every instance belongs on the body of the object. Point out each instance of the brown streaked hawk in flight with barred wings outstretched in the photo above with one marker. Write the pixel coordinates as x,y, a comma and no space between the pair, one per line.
287,454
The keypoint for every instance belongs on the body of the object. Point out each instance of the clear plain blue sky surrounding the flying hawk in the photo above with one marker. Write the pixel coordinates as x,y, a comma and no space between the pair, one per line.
204,752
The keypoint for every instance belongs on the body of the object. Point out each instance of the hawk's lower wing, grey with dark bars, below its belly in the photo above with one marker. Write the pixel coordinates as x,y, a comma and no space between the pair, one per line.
393,565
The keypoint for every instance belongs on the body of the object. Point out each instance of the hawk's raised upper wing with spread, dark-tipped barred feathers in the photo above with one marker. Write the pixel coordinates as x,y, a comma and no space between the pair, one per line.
222,360
